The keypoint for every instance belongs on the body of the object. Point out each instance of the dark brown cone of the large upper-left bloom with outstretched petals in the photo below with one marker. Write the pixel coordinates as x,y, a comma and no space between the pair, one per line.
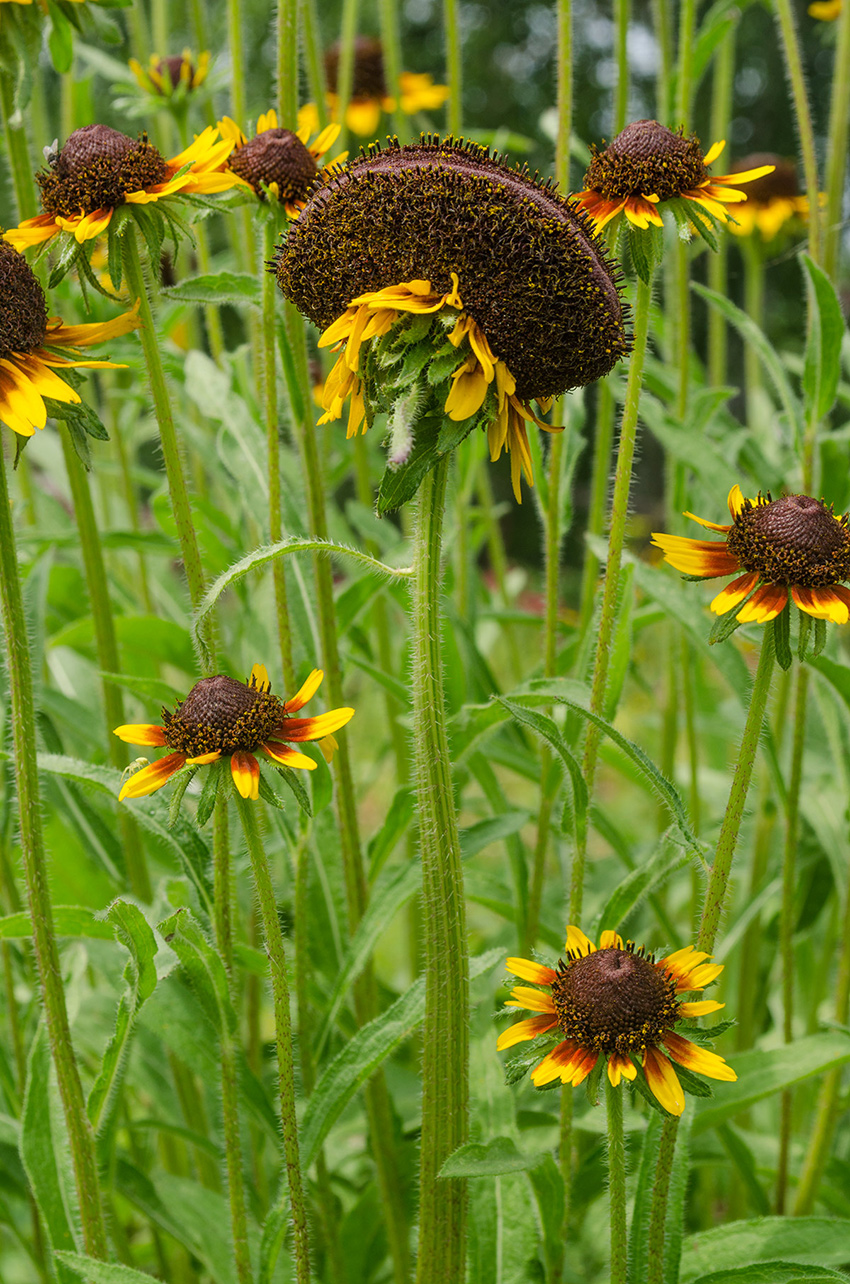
97,169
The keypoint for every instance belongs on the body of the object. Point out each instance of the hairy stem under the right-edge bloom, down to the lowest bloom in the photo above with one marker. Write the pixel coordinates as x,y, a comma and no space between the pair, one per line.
716,893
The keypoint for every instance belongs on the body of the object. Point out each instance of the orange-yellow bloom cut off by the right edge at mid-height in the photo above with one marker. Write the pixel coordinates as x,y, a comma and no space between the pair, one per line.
792,546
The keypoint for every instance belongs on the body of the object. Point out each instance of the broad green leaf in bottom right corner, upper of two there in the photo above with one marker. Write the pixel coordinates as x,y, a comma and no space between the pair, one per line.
810,1241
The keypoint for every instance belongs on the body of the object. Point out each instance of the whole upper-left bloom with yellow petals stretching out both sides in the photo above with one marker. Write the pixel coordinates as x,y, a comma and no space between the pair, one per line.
100,169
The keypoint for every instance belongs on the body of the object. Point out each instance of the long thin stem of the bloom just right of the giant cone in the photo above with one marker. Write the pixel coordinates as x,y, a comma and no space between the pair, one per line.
617,540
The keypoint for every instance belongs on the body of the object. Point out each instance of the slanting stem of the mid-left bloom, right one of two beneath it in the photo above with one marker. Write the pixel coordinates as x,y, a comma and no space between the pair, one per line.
274,939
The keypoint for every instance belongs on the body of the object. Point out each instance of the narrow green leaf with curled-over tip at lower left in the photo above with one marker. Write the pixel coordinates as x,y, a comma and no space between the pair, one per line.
141,976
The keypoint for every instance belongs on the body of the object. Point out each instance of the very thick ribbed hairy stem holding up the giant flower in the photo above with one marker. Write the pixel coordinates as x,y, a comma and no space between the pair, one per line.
446,1039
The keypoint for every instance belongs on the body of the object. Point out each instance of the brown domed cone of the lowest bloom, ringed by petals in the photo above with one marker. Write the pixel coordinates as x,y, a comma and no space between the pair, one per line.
614,1001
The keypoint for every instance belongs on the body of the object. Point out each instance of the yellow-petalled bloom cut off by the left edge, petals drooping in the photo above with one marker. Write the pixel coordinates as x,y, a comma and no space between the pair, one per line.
34,347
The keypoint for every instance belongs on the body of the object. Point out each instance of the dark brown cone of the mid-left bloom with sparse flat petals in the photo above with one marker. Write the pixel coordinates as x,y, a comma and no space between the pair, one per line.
221,715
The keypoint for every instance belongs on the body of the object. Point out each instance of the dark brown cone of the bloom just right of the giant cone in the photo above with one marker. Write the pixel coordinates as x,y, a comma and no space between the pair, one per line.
648,160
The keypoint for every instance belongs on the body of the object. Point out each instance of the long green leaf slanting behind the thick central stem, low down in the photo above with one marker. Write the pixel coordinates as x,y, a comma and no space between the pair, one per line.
364,1055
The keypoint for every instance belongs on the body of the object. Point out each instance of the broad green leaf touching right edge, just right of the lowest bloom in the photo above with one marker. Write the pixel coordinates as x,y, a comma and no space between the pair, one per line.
763,1073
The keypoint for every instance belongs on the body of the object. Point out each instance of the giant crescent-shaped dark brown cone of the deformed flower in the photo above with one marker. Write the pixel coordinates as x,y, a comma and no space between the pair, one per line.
532,273
